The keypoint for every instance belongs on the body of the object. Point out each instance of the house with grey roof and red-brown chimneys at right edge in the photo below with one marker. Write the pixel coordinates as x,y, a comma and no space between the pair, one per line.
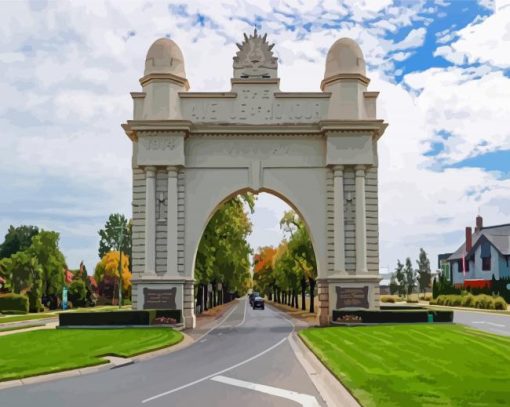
483,254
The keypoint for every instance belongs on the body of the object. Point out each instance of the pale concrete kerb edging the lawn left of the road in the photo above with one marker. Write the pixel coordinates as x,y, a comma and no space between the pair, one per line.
114,362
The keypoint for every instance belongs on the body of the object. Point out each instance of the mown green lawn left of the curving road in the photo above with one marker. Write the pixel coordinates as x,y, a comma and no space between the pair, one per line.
48,351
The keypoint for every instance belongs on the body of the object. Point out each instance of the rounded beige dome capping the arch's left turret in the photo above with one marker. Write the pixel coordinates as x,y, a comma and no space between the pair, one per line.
165,56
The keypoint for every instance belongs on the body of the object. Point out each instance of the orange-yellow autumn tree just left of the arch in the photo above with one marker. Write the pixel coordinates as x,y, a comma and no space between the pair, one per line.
107,275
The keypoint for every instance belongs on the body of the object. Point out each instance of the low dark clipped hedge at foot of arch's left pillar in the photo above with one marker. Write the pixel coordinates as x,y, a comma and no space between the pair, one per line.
120,318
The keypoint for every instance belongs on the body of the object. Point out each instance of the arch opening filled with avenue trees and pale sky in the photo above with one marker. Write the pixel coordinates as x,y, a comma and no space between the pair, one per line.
255,242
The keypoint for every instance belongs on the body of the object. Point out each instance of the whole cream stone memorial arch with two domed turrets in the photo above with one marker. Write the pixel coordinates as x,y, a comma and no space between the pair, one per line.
194,150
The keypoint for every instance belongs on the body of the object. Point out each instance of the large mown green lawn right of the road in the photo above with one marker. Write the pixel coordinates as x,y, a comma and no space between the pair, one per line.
416,365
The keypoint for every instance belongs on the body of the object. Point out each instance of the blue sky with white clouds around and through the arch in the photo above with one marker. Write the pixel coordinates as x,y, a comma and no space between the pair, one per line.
442,67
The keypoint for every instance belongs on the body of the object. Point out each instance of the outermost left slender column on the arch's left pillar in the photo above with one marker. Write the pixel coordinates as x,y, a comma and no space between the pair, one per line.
150,221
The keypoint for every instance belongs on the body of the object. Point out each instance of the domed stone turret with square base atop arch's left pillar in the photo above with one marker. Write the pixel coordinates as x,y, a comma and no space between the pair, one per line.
164,77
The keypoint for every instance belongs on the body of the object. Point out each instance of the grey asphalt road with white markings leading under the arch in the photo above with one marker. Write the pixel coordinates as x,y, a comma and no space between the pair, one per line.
246,361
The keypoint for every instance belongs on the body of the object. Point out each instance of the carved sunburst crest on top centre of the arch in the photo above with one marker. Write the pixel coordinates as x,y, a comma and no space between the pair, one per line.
255,57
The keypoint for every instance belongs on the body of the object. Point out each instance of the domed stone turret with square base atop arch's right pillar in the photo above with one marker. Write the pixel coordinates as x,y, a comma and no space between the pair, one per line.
345,77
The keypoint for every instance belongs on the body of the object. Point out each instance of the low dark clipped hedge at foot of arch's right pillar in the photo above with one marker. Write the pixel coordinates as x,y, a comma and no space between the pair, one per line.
395,316
